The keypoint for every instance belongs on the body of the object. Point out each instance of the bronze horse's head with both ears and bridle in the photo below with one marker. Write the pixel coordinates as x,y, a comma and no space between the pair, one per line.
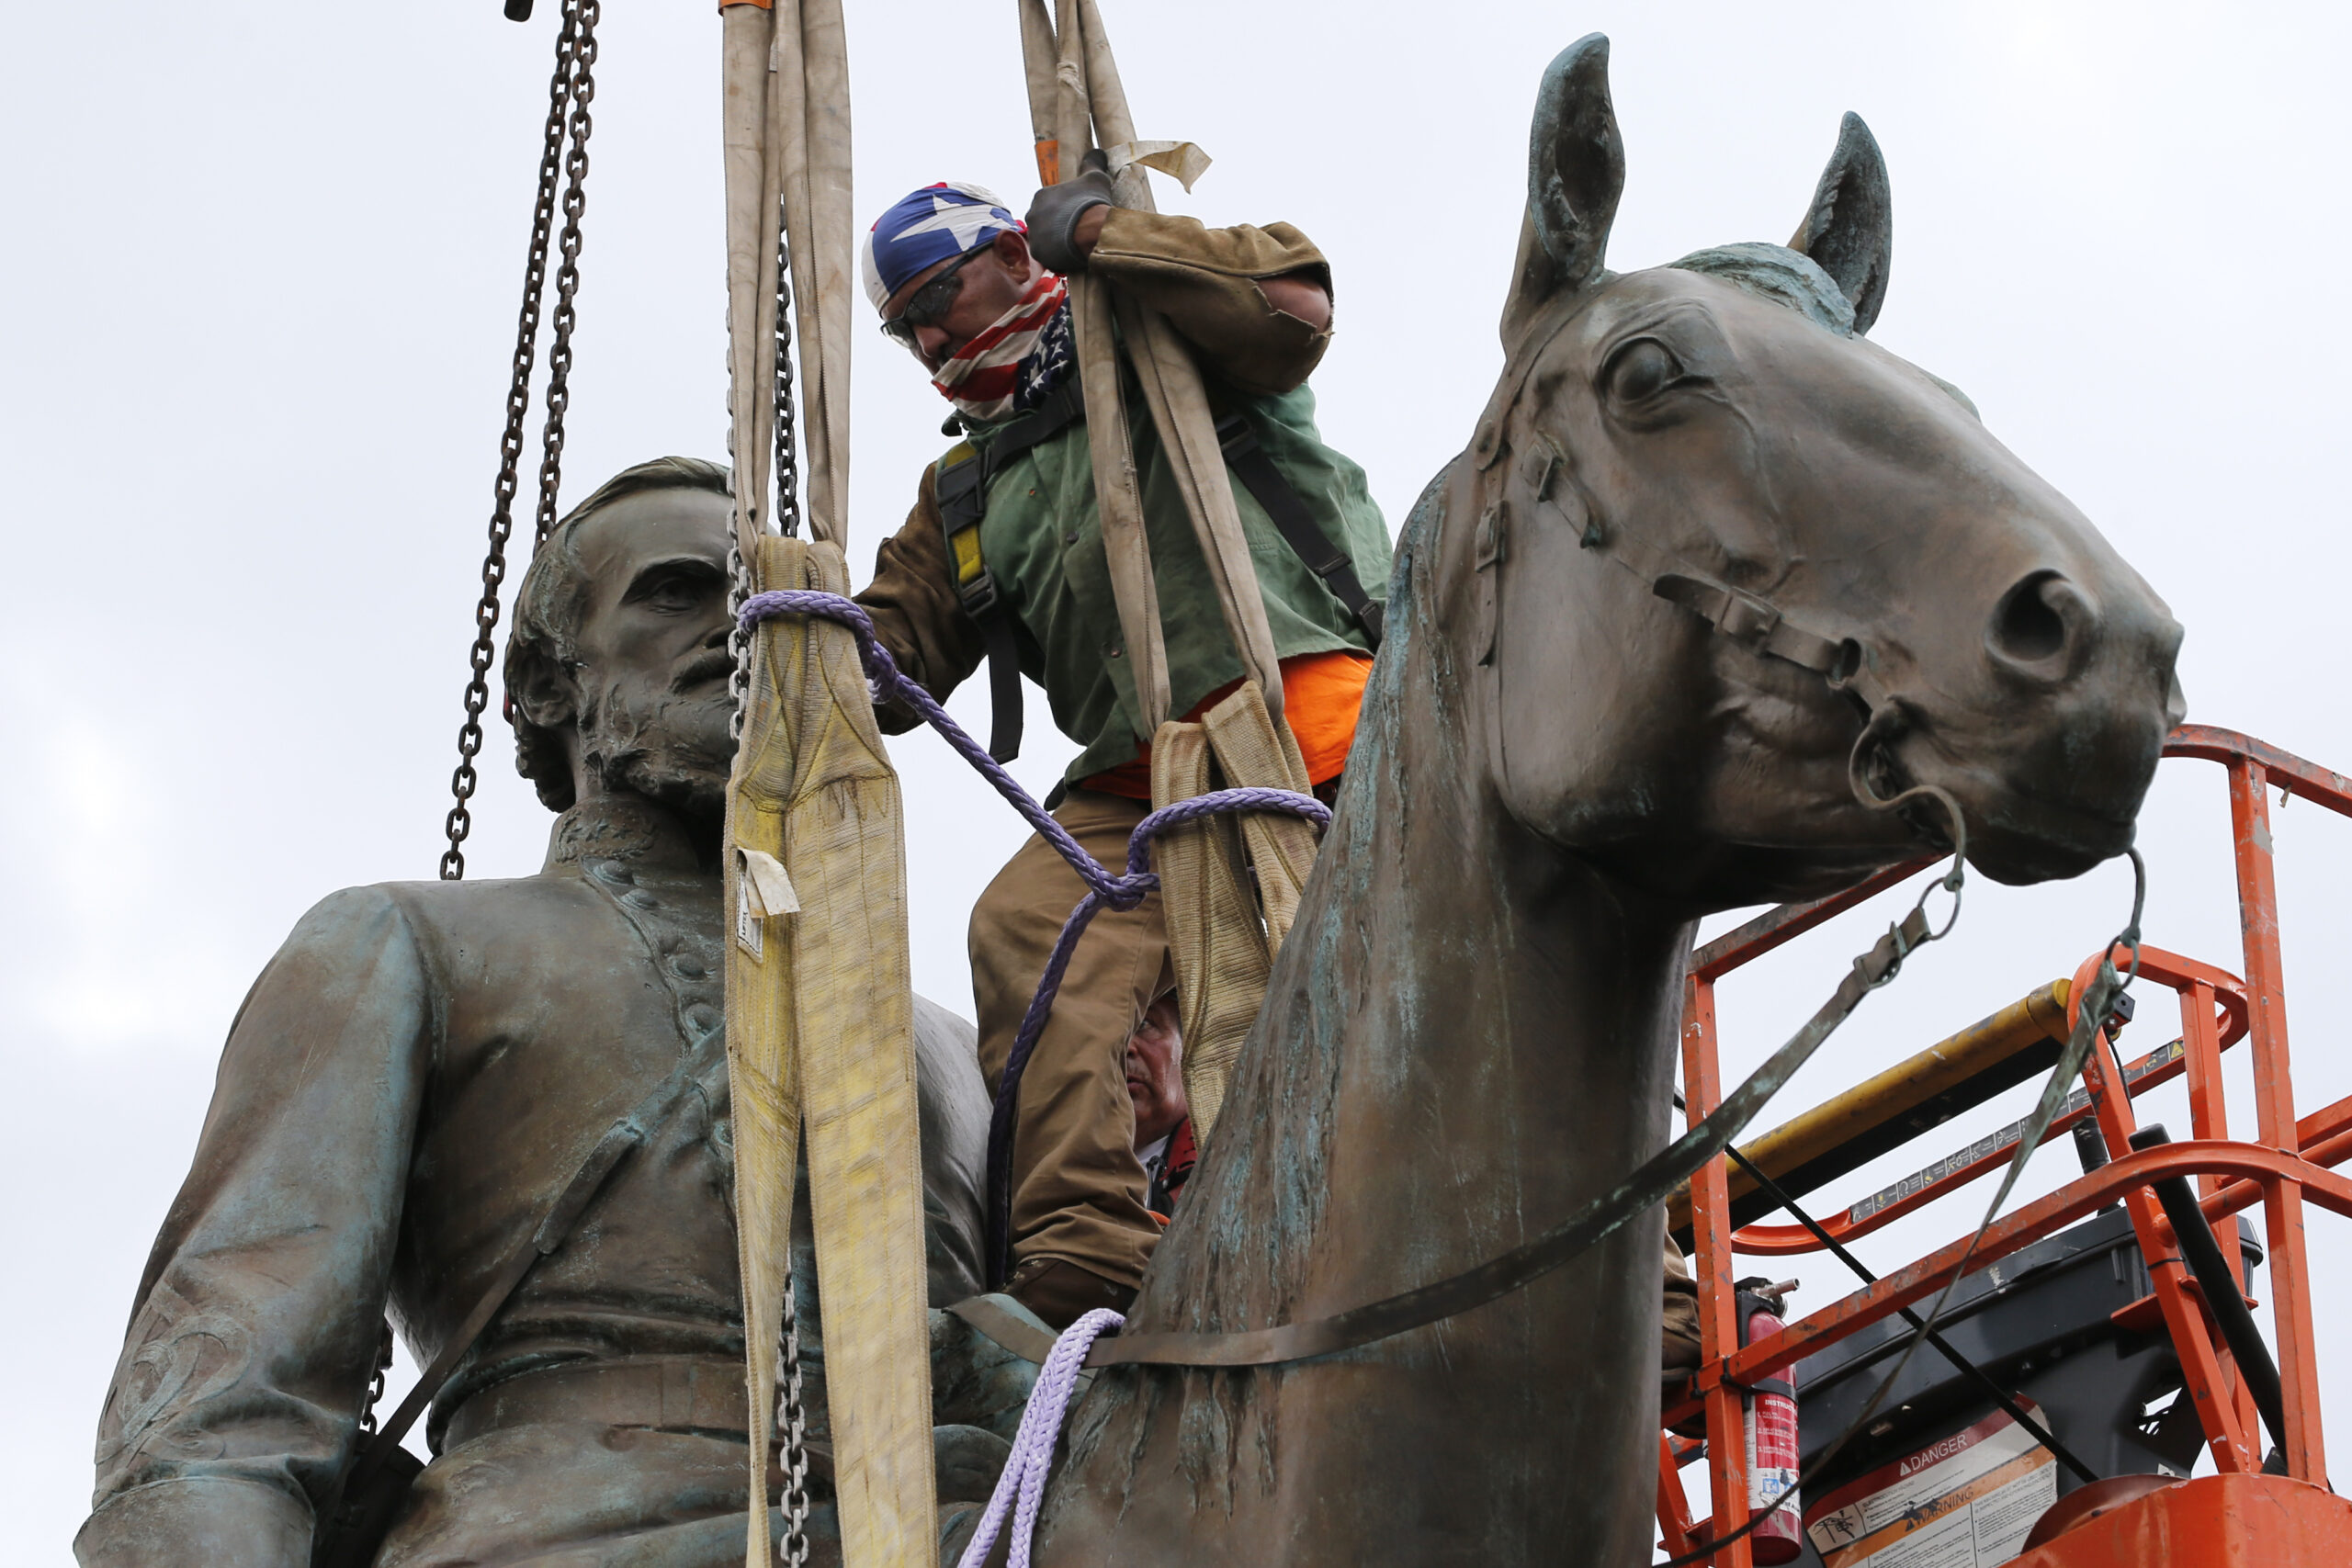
1728,420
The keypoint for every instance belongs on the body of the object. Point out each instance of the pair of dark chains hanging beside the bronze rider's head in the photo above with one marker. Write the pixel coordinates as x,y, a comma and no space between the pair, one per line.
568,119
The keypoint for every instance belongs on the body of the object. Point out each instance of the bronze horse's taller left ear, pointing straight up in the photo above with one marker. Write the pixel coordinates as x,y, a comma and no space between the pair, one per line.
1575,177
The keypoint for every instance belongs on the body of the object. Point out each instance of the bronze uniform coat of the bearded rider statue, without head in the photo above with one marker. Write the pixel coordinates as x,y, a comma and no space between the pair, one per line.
408,1085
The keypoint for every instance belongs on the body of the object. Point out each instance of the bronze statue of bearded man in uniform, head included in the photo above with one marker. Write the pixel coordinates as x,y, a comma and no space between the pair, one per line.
427,1066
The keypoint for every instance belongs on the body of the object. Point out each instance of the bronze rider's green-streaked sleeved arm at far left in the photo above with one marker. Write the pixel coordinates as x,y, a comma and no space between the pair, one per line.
255,1332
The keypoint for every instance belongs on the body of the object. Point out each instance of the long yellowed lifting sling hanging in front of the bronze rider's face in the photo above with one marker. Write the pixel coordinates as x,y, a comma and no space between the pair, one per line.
820,1000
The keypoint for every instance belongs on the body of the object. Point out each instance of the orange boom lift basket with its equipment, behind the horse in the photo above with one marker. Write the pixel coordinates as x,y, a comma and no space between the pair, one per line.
2259,1508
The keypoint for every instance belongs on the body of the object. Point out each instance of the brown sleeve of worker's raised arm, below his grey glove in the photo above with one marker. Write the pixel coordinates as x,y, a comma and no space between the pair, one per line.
1255,302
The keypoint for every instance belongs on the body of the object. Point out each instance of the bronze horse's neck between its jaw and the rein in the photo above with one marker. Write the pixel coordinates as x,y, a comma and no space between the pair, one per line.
1466,1033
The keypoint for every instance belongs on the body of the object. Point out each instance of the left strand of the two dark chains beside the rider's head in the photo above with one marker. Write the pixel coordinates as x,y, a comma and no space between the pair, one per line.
519,408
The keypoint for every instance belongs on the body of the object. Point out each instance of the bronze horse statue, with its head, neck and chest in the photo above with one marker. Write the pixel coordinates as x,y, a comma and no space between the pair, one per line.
1713,584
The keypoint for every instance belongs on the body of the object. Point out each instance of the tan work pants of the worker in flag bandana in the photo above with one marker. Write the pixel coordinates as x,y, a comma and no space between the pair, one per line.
1078,1186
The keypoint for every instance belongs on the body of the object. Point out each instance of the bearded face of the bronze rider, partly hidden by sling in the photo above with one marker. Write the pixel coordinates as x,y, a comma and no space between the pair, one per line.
653,648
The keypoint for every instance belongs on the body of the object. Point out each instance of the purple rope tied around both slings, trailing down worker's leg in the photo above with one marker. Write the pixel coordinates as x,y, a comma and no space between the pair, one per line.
1104,887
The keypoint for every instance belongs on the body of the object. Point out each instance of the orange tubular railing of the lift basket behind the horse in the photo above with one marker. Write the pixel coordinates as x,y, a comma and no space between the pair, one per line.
2283,1170
